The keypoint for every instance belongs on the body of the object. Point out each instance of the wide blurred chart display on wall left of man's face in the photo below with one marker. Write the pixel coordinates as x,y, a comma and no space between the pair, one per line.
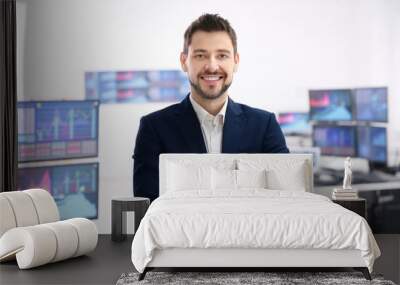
136,86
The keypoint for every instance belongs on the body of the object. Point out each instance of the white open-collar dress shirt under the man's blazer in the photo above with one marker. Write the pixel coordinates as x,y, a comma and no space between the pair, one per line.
211,126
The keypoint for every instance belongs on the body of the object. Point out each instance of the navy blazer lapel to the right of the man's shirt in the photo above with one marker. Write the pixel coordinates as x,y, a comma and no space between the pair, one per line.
234,124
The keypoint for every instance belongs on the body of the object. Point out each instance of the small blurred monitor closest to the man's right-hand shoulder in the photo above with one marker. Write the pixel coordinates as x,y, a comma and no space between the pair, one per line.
294,123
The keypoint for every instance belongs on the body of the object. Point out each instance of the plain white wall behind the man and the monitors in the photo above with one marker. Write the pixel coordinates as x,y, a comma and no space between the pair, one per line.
286,47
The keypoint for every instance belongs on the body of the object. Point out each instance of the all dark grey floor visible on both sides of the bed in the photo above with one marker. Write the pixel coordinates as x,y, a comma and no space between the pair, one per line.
111,259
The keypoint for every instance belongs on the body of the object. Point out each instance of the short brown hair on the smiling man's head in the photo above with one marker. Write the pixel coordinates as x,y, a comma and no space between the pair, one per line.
209,23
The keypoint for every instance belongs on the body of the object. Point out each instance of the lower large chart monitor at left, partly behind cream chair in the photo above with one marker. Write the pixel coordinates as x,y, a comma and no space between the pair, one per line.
73,187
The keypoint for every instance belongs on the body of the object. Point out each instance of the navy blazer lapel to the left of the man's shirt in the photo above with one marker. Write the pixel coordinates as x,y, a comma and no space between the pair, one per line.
190,129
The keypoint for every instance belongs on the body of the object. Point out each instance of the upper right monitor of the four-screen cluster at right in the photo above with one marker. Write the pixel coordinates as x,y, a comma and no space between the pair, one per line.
371,104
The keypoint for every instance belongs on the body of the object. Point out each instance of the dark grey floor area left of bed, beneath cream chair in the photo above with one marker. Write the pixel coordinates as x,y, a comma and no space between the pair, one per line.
102,266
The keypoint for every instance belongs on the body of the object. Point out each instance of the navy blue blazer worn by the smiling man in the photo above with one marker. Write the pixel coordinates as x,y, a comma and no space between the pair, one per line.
176,129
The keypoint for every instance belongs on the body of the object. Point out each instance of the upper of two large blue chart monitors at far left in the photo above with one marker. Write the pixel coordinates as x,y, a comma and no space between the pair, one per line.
49,130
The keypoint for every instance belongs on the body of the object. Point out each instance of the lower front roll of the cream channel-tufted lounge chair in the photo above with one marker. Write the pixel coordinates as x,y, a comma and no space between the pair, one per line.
40,244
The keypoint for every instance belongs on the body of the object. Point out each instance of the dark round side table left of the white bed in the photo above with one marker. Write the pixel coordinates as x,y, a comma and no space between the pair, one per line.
119,207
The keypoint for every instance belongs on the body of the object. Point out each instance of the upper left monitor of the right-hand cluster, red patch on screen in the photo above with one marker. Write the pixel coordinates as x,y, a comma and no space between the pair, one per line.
331,105
